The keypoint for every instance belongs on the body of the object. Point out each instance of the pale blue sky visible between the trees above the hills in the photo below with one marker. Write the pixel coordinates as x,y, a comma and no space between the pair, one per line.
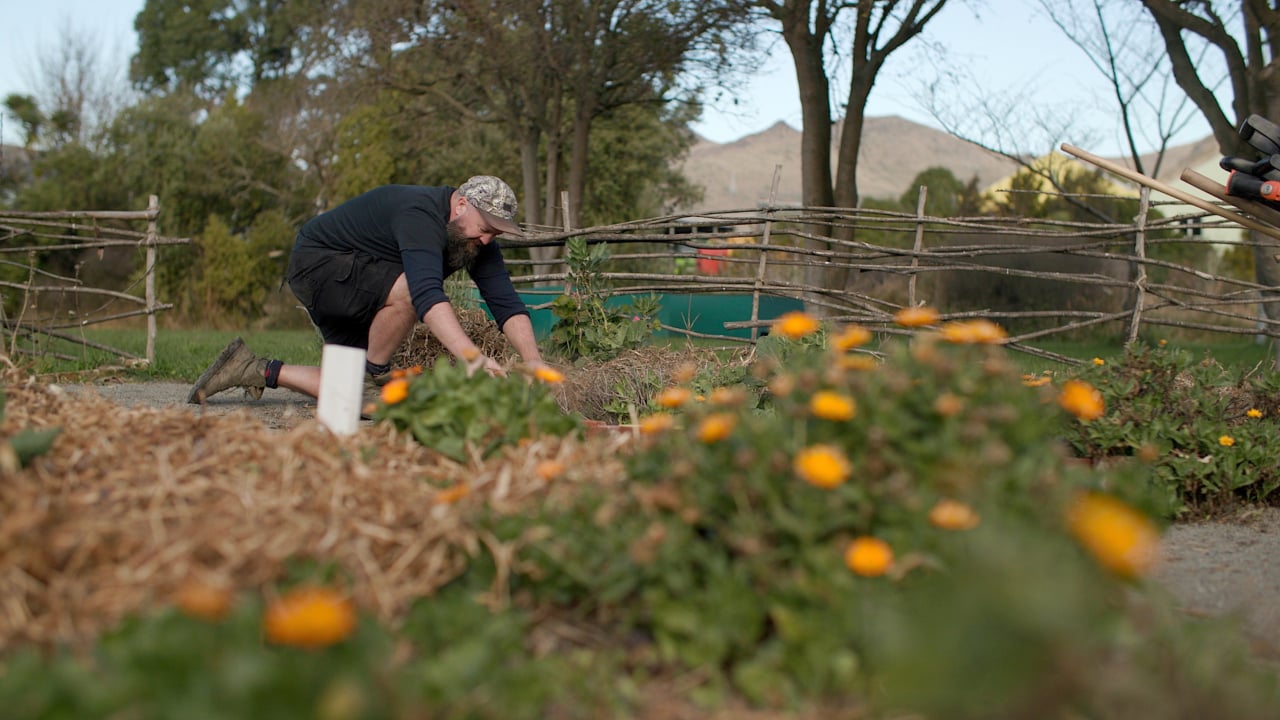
1014,52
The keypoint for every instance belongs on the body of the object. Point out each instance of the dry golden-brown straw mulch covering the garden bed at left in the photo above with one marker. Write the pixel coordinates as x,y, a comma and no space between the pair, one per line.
129,505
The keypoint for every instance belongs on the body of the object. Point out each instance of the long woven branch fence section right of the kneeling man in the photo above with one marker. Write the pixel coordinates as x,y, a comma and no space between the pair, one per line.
1107,280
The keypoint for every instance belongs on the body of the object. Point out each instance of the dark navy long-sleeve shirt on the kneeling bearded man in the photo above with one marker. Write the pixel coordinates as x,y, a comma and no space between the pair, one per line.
405,225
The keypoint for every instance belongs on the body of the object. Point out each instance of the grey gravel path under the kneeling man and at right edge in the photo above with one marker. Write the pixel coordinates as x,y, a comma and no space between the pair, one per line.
1224,567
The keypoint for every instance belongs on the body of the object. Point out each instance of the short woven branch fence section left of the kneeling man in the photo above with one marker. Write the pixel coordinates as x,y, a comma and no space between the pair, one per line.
43,304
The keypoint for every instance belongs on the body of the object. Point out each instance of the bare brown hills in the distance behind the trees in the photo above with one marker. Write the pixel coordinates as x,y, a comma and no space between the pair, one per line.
738,175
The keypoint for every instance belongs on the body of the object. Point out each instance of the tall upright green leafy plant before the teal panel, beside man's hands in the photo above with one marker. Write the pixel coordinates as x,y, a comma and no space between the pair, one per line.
587,326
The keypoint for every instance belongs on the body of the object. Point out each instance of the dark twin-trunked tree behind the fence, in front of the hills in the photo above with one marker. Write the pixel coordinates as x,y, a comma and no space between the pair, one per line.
877,30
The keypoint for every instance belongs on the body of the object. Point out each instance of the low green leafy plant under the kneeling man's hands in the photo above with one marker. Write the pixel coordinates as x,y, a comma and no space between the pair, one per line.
456,412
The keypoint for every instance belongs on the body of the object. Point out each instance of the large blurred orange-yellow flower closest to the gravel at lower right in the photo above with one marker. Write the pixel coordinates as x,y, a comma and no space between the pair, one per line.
1119,537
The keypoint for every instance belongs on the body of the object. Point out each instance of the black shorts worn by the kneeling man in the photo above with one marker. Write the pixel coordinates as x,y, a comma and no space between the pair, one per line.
342,291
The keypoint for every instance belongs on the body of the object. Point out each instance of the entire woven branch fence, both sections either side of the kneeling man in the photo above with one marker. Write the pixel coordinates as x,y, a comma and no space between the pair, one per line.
847,266
